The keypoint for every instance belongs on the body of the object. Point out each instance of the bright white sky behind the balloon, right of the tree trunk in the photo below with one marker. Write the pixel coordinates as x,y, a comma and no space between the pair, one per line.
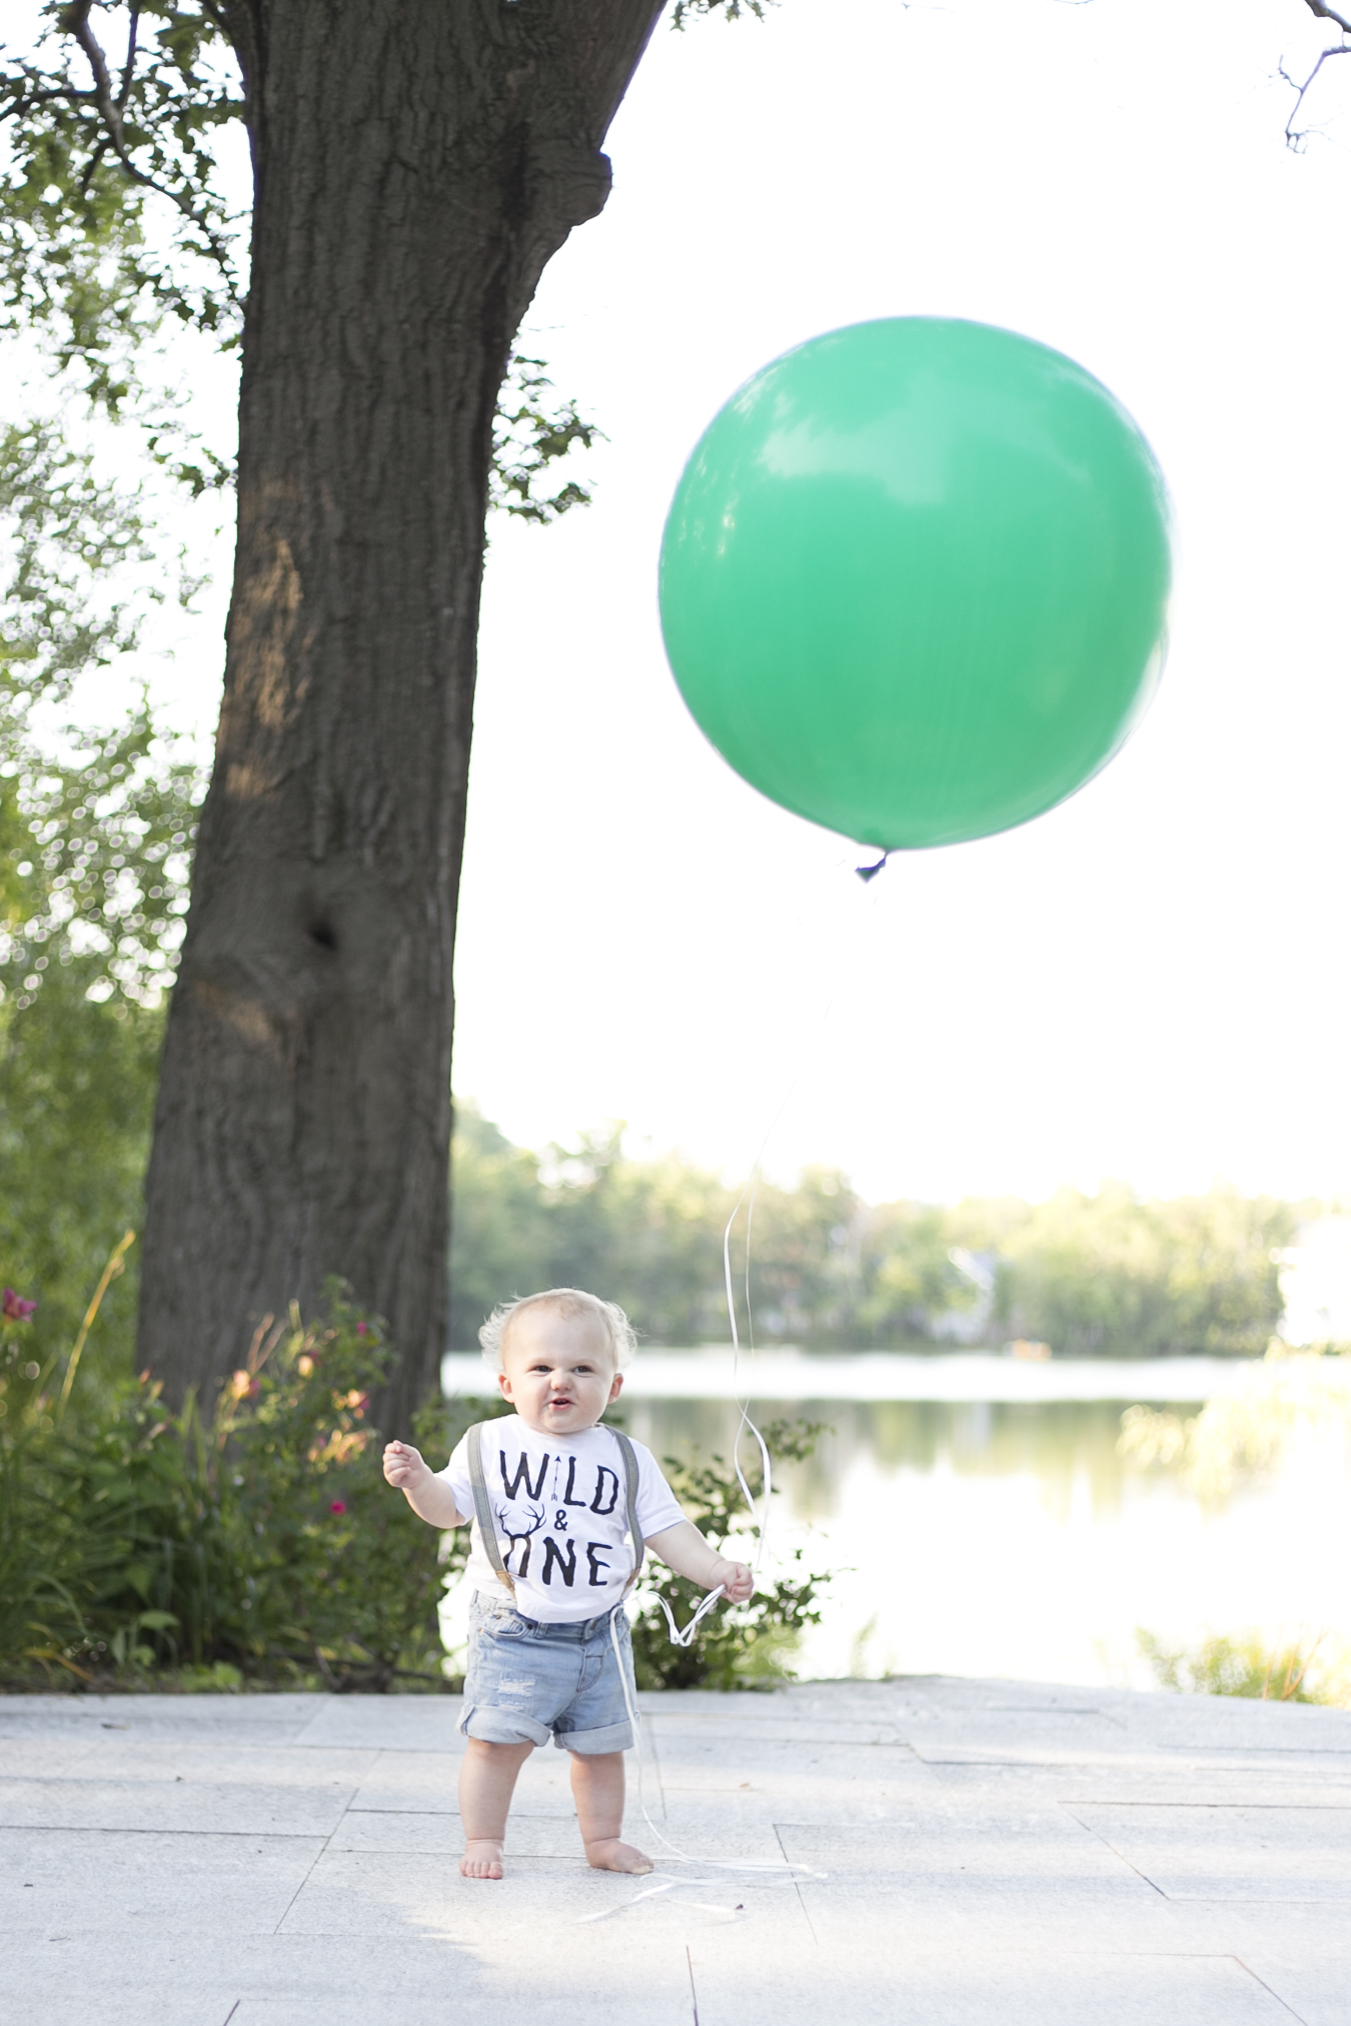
1151,982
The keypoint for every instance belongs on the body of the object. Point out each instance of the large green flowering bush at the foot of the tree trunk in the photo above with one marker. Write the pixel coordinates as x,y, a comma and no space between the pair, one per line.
260,1539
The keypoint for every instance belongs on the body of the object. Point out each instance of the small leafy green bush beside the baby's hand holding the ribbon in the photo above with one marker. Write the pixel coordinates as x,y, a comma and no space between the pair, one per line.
740,1646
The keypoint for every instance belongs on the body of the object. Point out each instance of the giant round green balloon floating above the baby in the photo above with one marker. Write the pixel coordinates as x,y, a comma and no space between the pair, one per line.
915,580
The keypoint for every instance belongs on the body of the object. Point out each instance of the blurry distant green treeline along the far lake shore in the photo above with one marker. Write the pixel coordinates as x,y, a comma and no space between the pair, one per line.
1091,1275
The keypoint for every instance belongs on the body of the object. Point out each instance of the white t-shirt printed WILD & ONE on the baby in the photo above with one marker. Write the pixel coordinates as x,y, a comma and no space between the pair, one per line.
562,1516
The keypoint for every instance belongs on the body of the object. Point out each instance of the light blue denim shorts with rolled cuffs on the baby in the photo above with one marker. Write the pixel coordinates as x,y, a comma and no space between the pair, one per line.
530,1683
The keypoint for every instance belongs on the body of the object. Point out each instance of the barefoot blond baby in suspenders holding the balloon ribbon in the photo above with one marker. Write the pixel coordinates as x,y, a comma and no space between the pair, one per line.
554,1565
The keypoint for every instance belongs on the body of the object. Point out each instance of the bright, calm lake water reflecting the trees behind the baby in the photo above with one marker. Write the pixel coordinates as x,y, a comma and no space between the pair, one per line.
979,1521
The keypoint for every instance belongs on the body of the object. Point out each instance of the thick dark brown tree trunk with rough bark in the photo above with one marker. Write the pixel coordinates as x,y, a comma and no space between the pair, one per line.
416,165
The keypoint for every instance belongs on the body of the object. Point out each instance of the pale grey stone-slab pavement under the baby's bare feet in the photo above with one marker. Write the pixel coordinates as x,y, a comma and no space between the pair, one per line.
971,1855
